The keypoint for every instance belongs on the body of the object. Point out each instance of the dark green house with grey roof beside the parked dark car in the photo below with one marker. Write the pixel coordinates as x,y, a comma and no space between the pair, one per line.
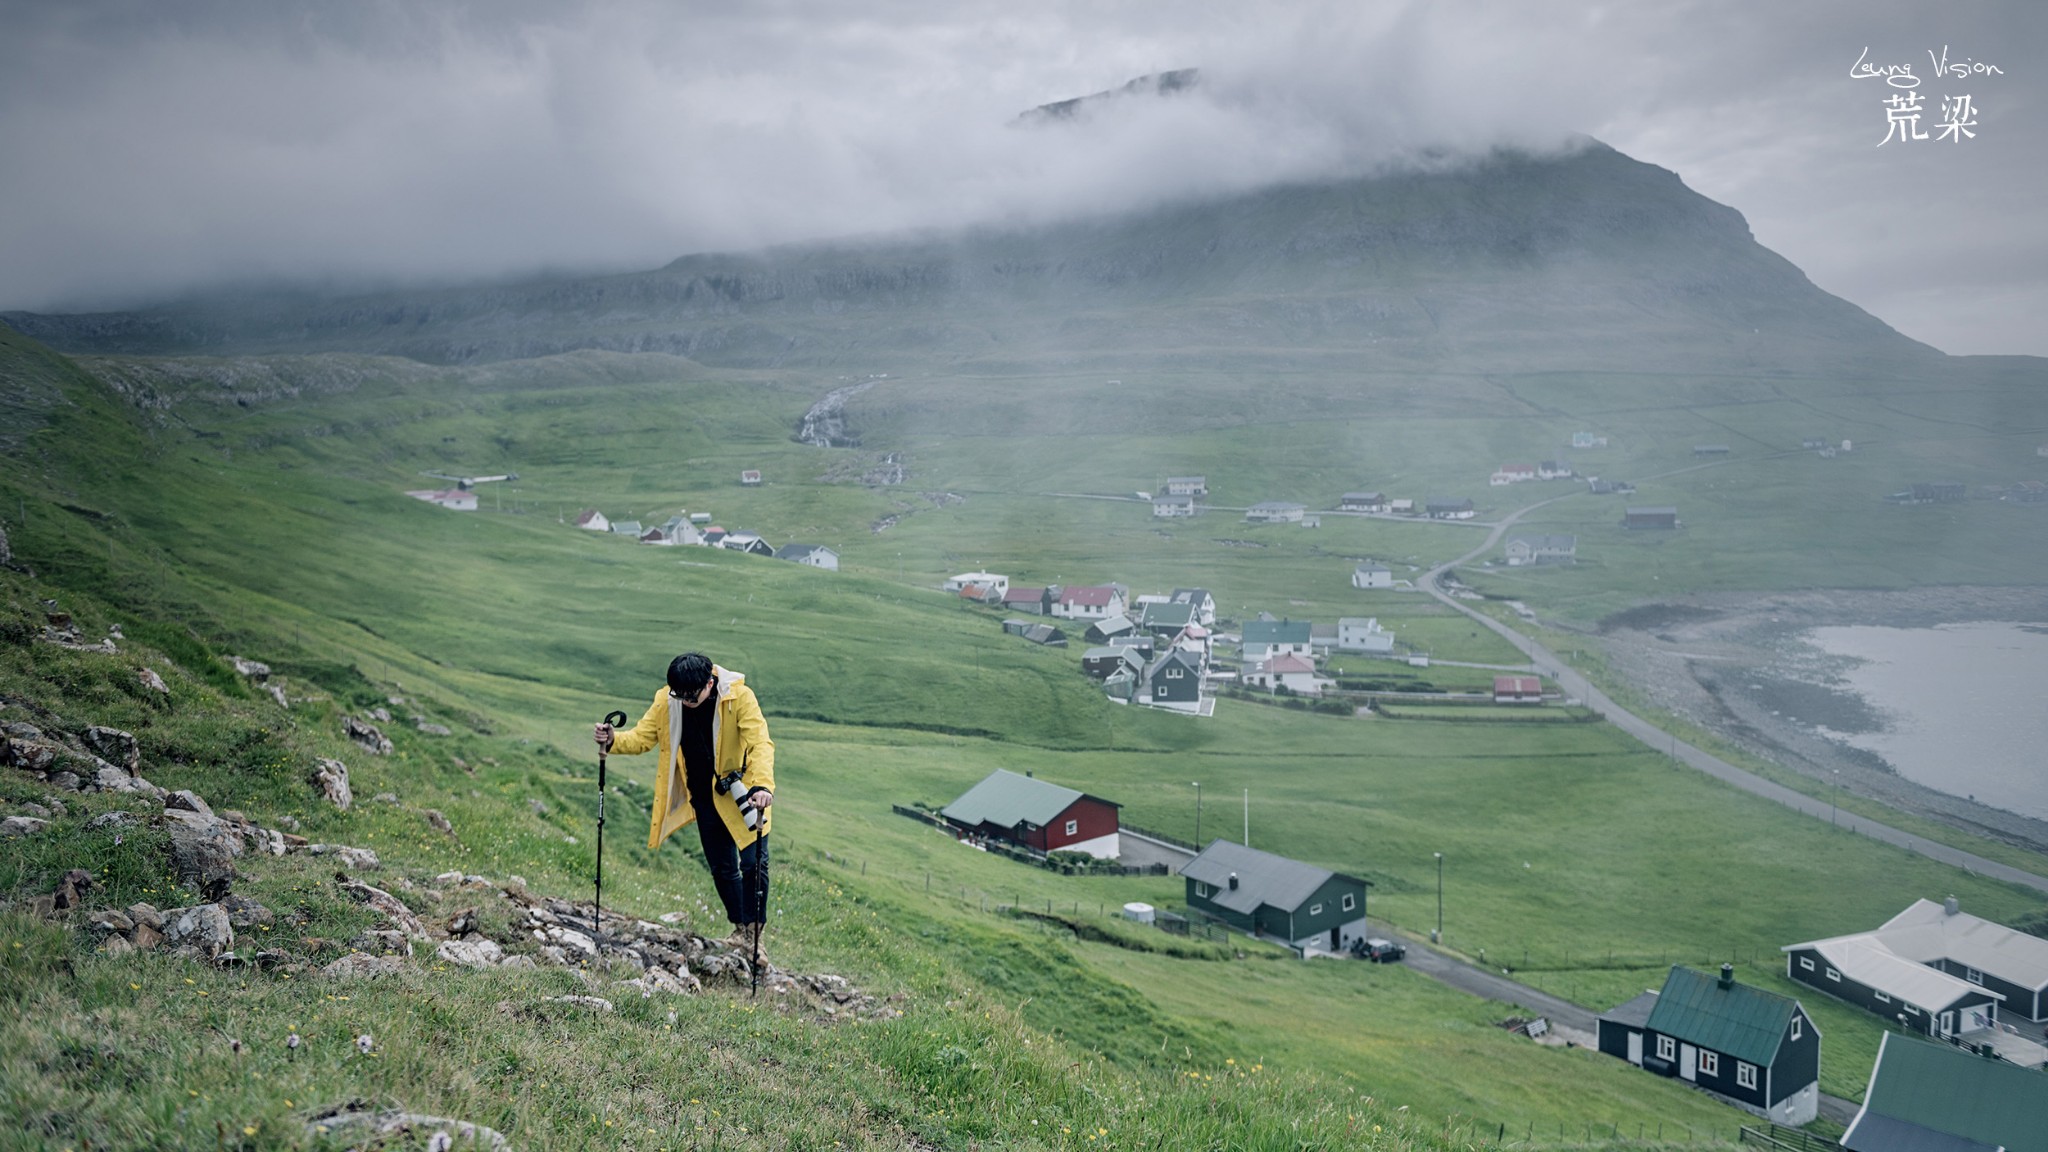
1306,907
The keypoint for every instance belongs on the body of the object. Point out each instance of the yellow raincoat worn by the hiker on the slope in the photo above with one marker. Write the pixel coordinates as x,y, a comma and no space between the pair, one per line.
738,745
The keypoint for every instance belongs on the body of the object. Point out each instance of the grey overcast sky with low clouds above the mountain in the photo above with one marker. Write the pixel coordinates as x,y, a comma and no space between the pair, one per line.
155,147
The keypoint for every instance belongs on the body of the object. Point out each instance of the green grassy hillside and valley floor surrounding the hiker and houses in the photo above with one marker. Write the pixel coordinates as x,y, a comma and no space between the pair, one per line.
257,509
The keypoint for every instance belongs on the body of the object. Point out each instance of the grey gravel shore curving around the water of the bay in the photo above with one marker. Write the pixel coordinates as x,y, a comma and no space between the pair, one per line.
1738,667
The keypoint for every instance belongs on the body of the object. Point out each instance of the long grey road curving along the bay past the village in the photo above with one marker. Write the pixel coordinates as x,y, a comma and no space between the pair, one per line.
1662,741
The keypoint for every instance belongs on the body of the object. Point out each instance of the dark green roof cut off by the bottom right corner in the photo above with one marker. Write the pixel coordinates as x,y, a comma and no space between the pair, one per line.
1959,1094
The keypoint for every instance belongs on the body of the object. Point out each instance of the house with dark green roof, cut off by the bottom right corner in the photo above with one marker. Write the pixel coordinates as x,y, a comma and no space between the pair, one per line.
1932,1098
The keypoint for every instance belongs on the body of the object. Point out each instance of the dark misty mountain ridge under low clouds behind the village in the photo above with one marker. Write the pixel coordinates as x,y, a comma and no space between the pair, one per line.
1514,263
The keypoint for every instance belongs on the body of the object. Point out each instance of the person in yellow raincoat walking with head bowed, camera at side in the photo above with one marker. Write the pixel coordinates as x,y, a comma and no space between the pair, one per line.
718,770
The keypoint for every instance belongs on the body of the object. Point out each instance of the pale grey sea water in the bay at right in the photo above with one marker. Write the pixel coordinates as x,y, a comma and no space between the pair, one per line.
1965,706
